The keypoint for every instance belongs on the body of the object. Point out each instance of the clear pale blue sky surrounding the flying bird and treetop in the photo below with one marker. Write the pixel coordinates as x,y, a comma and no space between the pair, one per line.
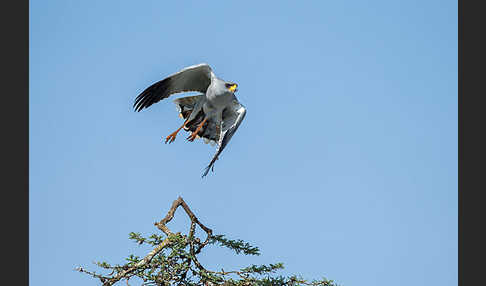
345,166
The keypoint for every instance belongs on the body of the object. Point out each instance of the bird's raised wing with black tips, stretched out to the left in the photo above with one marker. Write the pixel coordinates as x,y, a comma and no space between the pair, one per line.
193,78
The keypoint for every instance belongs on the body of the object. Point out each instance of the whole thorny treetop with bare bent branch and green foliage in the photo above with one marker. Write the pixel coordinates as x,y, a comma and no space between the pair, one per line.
168,263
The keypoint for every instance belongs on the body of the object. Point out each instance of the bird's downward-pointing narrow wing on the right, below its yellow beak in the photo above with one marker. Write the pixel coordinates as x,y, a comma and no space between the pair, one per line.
232,118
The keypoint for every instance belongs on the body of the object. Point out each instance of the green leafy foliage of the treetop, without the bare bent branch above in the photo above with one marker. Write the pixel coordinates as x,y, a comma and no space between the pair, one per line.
177,264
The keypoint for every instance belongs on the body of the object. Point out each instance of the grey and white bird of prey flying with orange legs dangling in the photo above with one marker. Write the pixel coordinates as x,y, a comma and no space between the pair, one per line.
215,114
